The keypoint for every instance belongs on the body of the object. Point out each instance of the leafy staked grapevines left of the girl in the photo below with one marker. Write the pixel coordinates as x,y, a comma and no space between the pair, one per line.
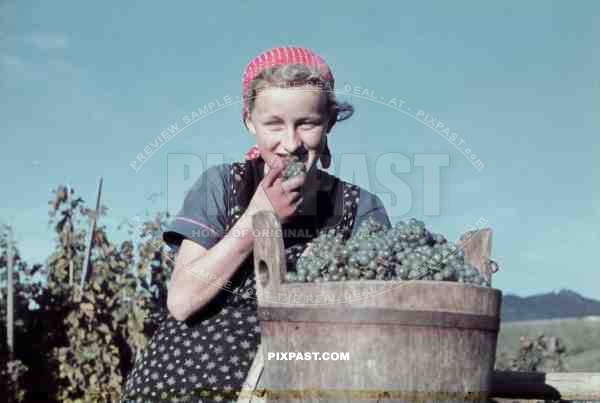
73,344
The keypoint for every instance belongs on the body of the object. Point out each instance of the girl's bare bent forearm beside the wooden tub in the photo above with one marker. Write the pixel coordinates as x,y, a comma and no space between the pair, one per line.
201,278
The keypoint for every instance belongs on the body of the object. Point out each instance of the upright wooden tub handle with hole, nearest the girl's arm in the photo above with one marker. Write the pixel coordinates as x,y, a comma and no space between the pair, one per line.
269,253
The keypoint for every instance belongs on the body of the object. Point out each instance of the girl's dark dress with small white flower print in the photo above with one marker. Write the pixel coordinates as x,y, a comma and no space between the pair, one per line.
206,358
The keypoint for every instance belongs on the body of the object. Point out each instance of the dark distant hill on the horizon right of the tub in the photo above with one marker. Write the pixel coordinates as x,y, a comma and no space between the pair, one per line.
554,305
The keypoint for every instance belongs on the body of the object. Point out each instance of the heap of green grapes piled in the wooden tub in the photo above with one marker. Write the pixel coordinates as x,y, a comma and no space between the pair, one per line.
406,251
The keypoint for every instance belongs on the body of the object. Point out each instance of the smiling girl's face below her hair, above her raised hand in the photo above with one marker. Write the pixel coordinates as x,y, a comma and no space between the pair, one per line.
289,121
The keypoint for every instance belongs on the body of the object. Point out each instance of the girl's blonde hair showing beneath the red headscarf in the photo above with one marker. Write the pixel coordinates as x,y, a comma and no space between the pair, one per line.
291,75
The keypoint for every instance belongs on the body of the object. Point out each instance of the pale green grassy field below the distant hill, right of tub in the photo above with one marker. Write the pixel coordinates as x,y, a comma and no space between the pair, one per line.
581,337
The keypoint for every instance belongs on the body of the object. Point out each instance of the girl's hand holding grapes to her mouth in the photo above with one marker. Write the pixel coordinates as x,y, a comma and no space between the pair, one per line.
276,195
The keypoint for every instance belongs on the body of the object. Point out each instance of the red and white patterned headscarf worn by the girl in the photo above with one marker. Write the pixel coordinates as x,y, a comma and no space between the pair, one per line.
279,57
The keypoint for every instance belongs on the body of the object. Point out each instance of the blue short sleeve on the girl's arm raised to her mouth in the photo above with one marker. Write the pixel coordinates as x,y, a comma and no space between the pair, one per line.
203,216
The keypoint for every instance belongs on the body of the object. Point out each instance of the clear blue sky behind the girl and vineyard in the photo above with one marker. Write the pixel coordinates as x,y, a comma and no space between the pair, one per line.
86,87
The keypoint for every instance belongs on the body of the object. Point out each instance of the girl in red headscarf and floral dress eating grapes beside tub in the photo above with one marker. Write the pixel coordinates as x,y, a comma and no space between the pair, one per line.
205,345
